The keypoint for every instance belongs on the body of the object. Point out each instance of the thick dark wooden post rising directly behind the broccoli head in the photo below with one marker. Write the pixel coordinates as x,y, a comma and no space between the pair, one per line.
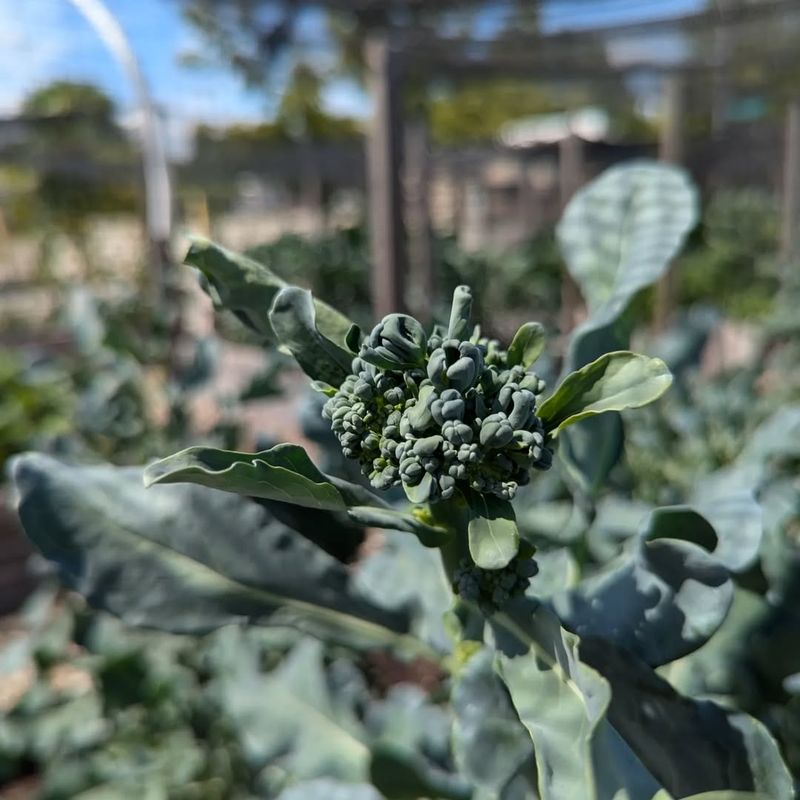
384,165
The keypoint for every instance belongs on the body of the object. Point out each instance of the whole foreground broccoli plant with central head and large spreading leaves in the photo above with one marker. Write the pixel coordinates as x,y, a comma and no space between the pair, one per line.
549,684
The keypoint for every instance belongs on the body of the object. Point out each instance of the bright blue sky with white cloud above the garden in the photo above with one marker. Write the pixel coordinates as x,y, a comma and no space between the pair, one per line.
43,40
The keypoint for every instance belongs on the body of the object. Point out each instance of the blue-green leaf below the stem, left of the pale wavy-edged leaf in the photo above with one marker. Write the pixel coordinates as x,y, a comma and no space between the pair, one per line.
489,742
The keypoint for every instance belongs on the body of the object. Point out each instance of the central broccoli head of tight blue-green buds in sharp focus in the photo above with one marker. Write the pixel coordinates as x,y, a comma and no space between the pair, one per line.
439,414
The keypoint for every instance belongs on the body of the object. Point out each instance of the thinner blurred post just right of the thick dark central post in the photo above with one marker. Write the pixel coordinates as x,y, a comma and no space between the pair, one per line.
422,290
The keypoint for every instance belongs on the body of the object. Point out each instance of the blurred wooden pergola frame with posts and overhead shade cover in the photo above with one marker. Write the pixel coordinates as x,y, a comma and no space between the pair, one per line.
396,53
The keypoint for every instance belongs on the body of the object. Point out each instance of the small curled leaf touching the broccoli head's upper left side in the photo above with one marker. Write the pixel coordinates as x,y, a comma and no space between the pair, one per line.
293,318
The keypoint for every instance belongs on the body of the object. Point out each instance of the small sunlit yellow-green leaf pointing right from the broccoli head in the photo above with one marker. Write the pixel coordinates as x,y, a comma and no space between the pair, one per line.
613,382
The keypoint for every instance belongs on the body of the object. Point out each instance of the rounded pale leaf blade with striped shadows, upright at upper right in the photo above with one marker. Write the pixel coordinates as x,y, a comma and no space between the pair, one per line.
619,233
